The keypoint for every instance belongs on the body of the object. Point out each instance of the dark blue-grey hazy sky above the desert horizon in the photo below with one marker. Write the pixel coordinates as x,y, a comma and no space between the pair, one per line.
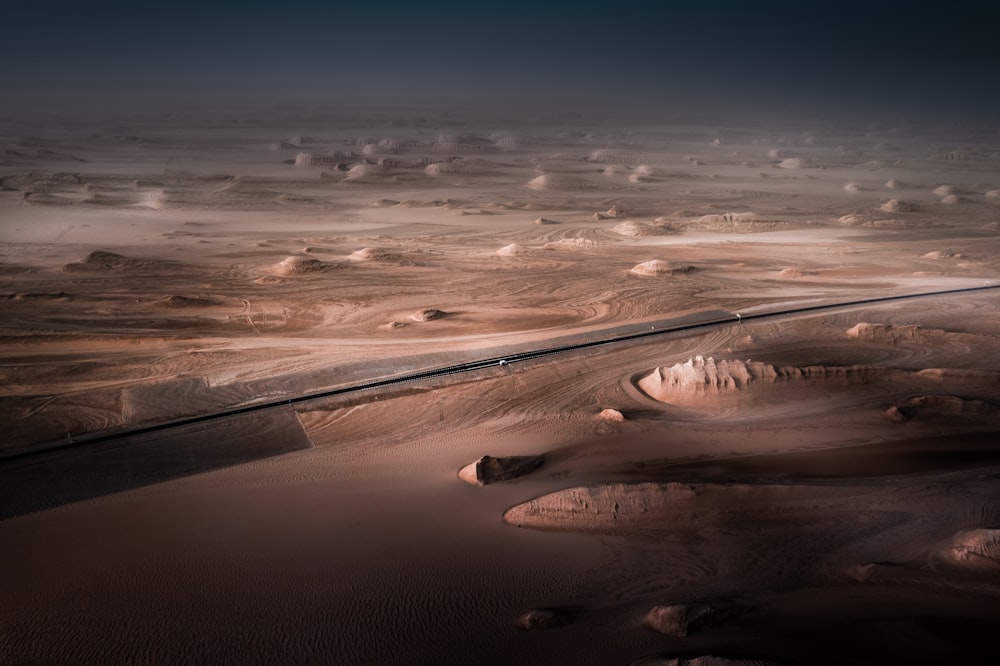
920,56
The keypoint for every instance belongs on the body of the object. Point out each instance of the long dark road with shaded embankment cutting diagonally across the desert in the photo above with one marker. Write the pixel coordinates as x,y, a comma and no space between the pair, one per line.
103,463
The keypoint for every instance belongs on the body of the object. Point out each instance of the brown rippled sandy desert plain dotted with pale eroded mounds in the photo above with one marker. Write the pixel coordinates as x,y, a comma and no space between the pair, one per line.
820,488
